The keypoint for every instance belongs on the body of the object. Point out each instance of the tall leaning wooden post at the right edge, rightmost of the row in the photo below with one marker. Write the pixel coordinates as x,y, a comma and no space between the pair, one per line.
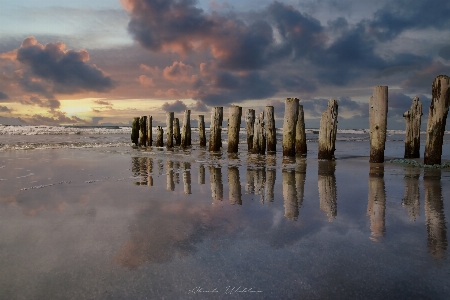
437,117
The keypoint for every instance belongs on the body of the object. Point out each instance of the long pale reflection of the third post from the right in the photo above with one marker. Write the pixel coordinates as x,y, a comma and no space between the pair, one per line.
376,207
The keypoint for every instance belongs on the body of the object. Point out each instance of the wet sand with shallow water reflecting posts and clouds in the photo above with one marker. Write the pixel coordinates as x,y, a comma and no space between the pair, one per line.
122,223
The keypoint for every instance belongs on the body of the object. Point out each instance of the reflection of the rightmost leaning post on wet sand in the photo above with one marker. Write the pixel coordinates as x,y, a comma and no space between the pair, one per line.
434,214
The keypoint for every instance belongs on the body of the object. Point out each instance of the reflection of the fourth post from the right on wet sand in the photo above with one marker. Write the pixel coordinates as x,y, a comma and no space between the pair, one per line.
327,188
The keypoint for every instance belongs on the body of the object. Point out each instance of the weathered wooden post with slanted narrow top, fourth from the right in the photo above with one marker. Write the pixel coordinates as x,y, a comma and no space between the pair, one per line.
327,132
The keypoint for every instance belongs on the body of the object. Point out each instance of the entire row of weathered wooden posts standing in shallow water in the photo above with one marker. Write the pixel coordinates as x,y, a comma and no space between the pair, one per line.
261,135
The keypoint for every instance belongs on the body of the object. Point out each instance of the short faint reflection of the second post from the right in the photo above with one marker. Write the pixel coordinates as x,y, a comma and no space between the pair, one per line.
411,197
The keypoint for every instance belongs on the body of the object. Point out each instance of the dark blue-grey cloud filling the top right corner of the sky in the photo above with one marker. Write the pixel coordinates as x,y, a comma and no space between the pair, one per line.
397,16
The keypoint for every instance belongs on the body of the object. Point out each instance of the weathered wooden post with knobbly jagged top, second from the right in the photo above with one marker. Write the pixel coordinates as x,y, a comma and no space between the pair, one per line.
413,120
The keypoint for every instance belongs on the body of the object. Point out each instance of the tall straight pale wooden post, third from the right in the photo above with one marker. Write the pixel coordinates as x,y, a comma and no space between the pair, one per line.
378,108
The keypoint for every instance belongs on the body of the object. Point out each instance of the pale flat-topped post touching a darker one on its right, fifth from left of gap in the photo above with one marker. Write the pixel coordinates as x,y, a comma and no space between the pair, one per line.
290,121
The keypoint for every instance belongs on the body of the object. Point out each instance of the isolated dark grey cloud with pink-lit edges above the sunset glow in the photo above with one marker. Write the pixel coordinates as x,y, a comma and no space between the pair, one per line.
66,70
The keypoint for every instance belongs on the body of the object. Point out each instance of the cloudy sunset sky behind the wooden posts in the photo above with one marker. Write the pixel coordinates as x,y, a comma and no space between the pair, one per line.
104,62
